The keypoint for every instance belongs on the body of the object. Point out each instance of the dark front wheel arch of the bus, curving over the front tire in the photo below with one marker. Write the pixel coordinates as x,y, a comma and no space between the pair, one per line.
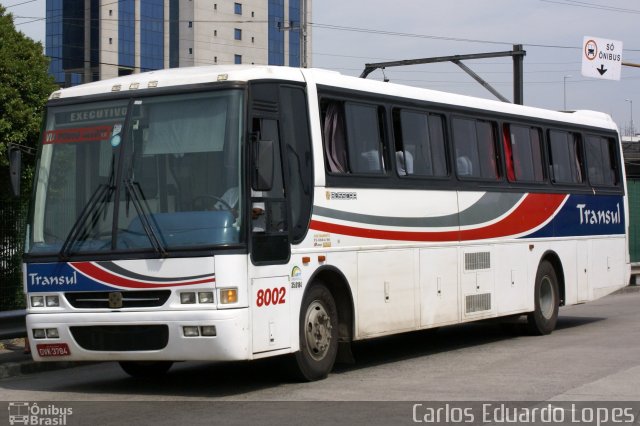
338,285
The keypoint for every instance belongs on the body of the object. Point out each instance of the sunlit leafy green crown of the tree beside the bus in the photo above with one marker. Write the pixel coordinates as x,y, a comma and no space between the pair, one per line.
25,86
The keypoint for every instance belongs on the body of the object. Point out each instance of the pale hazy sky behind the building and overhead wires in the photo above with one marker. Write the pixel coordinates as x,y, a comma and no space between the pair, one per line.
346,34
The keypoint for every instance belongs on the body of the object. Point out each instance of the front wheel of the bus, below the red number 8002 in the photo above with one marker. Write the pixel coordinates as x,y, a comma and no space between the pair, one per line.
318,334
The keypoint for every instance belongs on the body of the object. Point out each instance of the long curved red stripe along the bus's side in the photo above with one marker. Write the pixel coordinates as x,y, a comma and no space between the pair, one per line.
535,210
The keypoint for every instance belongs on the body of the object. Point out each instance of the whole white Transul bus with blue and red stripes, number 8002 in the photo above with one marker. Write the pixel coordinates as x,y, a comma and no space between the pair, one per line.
236,213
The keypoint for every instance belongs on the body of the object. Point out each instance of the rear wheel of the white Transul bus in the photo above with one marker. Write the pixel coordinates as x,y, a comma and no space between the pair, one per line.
547,300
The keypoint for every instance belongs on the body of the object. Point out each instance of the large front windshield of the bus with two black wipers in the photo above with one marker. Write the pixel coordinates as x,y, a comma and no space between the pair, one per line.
155,173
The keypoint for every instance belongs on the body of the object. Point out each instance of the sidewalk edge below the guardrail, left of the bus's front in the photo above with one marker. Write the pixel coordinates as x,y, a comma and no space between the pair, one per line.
14,362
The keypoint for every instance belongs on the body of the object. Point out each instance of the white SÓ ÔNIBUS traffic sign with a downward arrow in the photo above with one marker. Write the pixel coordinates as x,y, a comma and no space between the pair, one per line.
601,58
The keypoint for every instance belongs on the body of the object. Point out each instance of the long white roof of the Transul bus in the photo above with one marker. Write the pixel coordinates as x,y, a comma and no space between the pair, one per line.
243,73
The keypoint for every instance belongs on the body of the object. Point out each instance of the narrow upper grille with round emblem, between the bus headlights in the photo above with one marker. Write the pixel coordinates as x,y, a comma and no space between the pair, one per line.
130,299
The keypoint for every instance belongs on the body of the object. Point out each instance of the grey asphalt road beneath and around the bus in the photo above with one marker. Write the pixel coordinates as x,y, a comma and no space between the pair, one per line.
593,355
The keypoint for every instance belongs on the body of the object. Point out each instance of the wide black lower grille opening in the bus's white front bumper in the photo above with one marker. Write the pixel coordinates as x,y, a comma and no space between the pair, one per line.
121,338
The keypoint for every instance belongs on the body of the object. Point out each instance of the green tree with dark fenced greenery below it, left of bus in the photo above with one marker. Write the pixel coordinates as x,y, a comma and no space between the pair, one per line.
25,86
